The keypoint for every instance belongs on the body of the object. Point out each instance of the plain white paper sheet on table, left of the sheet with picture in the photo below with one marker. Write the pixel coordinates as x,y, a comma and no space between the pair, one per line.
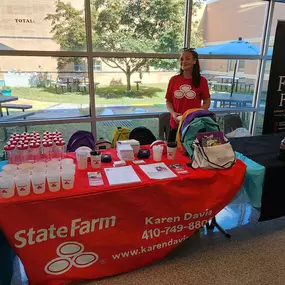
121,175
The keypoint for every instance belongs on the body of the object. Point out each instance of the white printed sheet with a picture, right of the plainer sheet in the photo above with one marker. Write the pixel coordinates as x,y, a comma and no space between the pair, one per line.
157,171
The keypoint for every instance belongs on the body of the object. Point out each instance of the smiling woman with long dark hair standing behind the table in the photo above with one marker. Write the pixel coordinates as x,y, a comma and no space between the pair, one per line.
186,90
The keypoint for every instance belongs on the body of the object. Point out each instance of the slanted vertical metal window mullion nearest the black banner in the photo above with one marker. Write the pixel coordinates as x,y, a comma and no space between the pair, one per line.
262,64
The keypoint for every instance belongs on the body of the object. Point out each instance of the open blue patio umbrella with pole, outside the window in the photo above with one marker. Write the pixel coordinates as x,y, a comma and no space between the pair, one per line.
238,47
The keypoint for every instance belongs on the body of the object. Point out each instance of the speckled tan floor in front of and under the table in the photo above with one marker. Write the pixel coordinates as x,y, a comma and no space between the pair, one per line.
253,256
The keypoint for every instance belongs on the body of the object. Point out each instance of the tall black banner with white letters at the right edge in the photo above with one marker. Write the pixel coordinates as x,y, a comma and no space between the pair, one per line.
274,117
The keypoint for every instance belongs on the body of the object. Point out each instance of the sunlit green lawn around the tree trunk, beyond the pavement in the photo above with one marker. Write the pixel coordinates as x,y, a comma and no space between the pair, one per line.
150,94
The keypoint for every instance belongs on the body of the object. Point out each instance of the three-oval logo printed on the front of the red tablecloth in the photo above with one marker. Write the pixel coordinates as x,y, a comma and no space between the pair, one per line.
70,254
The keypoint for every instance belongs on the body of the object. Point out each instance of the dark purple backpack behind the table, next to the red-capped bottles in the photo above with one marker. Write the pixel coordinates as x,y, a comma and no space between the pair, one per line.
80,138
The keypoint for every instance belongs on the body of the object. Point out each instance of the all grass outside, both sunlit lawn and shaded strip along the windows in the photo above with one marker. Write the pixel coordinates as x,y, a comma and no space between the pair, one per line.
150,94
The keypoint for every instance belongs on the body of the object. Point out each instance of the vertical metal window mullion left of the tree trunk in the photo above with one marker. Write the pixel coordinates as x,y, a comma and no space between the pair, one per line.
88,22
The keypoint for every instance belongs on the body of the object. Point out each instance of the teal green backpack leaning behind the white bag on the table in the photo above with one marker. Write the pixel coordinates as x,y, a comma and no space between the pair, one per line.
197,125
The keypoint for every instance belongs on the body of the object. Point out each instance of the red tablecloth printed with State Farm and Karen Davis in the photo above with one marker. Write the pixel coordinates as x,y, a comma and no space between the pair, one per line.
92,232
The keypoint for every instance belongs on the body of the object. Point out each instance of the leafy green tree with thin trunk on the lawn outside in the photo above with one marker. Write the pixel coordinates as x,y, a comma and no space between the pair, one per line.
154,26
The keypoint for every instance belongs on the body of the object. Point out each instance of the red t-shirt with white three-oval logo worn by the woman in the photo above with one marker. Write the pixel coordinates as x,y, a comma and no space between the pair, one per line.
183,95
